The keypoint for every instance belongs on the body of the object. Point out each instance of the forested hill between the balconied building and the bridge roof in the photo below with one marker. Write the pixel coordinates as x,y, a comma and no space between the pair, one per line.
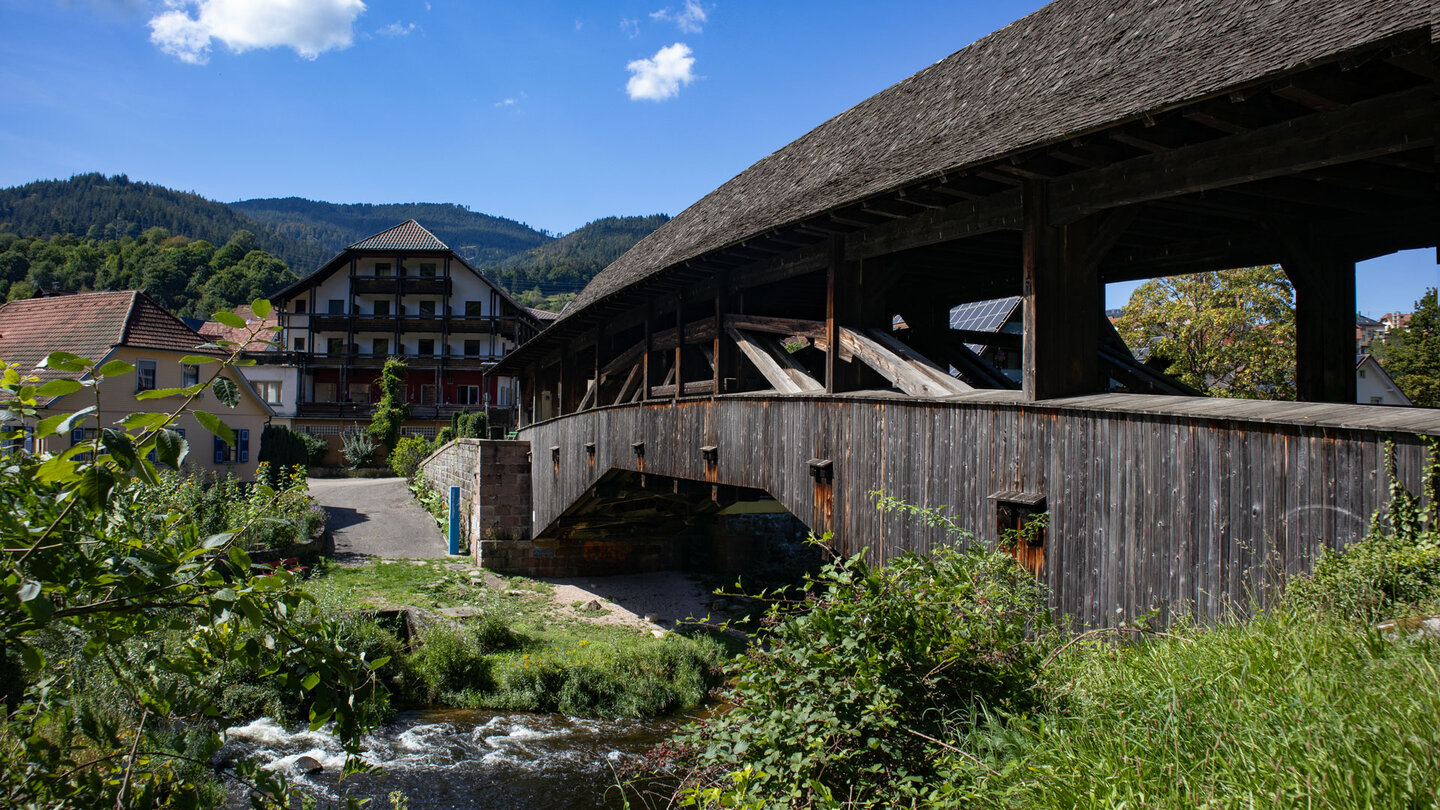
552,275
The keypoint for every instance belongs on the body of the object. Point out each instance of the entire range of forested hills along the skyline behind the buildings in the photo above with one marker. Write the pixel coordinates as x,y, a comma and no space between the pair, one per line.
96,233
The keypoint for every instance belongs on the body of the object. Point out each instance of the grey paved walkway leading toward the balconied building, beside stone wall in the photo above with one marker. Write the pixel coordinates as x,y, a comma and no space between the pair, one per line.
377,518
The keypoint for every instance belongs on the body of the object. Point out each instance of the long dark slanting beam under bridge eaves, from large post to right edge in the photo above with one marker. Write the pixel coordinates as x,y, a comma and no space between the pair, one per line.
1380,126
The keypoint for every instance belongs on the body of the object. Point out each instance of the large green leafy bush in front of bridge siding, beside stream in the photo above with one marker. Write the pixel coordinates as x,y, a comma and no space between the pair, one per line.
850,691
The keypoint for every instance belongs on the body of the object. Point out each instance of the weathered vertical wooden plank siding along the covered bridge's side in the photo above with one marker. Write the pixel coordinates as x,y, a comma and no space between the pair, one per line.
1179,511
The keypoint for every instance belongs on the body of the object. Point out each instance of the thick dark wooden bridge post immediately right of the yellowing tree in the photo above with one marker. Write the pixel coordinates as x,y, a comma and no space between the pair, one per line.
1324,283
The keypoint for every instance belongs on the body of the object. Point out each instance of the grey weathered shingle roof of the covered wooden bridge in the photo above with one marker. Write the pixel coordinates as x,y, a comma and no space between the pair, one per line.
1071,68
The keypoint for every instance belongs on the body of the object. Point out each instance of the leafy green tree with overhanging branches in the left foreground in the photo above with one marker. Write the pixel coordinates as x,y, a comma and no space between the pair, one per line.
116,620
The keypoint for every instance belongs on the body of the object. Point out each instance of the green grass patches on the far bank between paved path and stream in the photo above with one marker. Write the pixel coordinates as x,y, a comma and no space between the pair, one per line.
522,654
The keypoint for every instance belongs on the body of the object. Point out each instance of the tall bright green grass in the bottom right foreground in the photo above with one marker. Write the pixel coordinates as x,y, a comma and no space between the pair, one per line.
1281,711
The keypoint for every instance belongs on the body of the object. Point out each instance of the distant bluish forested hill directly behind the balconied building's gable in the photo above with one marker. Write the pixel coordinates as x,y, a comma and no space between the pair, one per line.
325,230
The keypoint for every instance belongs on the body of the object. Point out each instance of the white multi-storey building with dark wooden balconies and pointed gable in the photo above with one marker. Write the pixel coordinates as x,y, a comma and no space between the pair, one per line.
402,295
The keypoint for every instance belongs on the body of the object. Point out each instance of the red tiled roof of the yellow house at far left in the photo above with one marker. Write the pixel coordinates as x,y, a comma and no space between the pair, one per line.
89,325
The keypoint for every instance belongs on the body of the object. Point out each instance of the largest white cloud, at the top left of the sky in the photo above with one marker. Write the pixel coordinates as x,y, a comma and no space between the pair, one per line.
307,27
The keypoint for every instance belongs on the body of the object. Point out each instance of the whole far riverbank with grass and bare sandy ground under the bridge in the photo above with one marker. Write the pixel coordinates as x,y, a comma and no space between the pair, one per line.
477,641
